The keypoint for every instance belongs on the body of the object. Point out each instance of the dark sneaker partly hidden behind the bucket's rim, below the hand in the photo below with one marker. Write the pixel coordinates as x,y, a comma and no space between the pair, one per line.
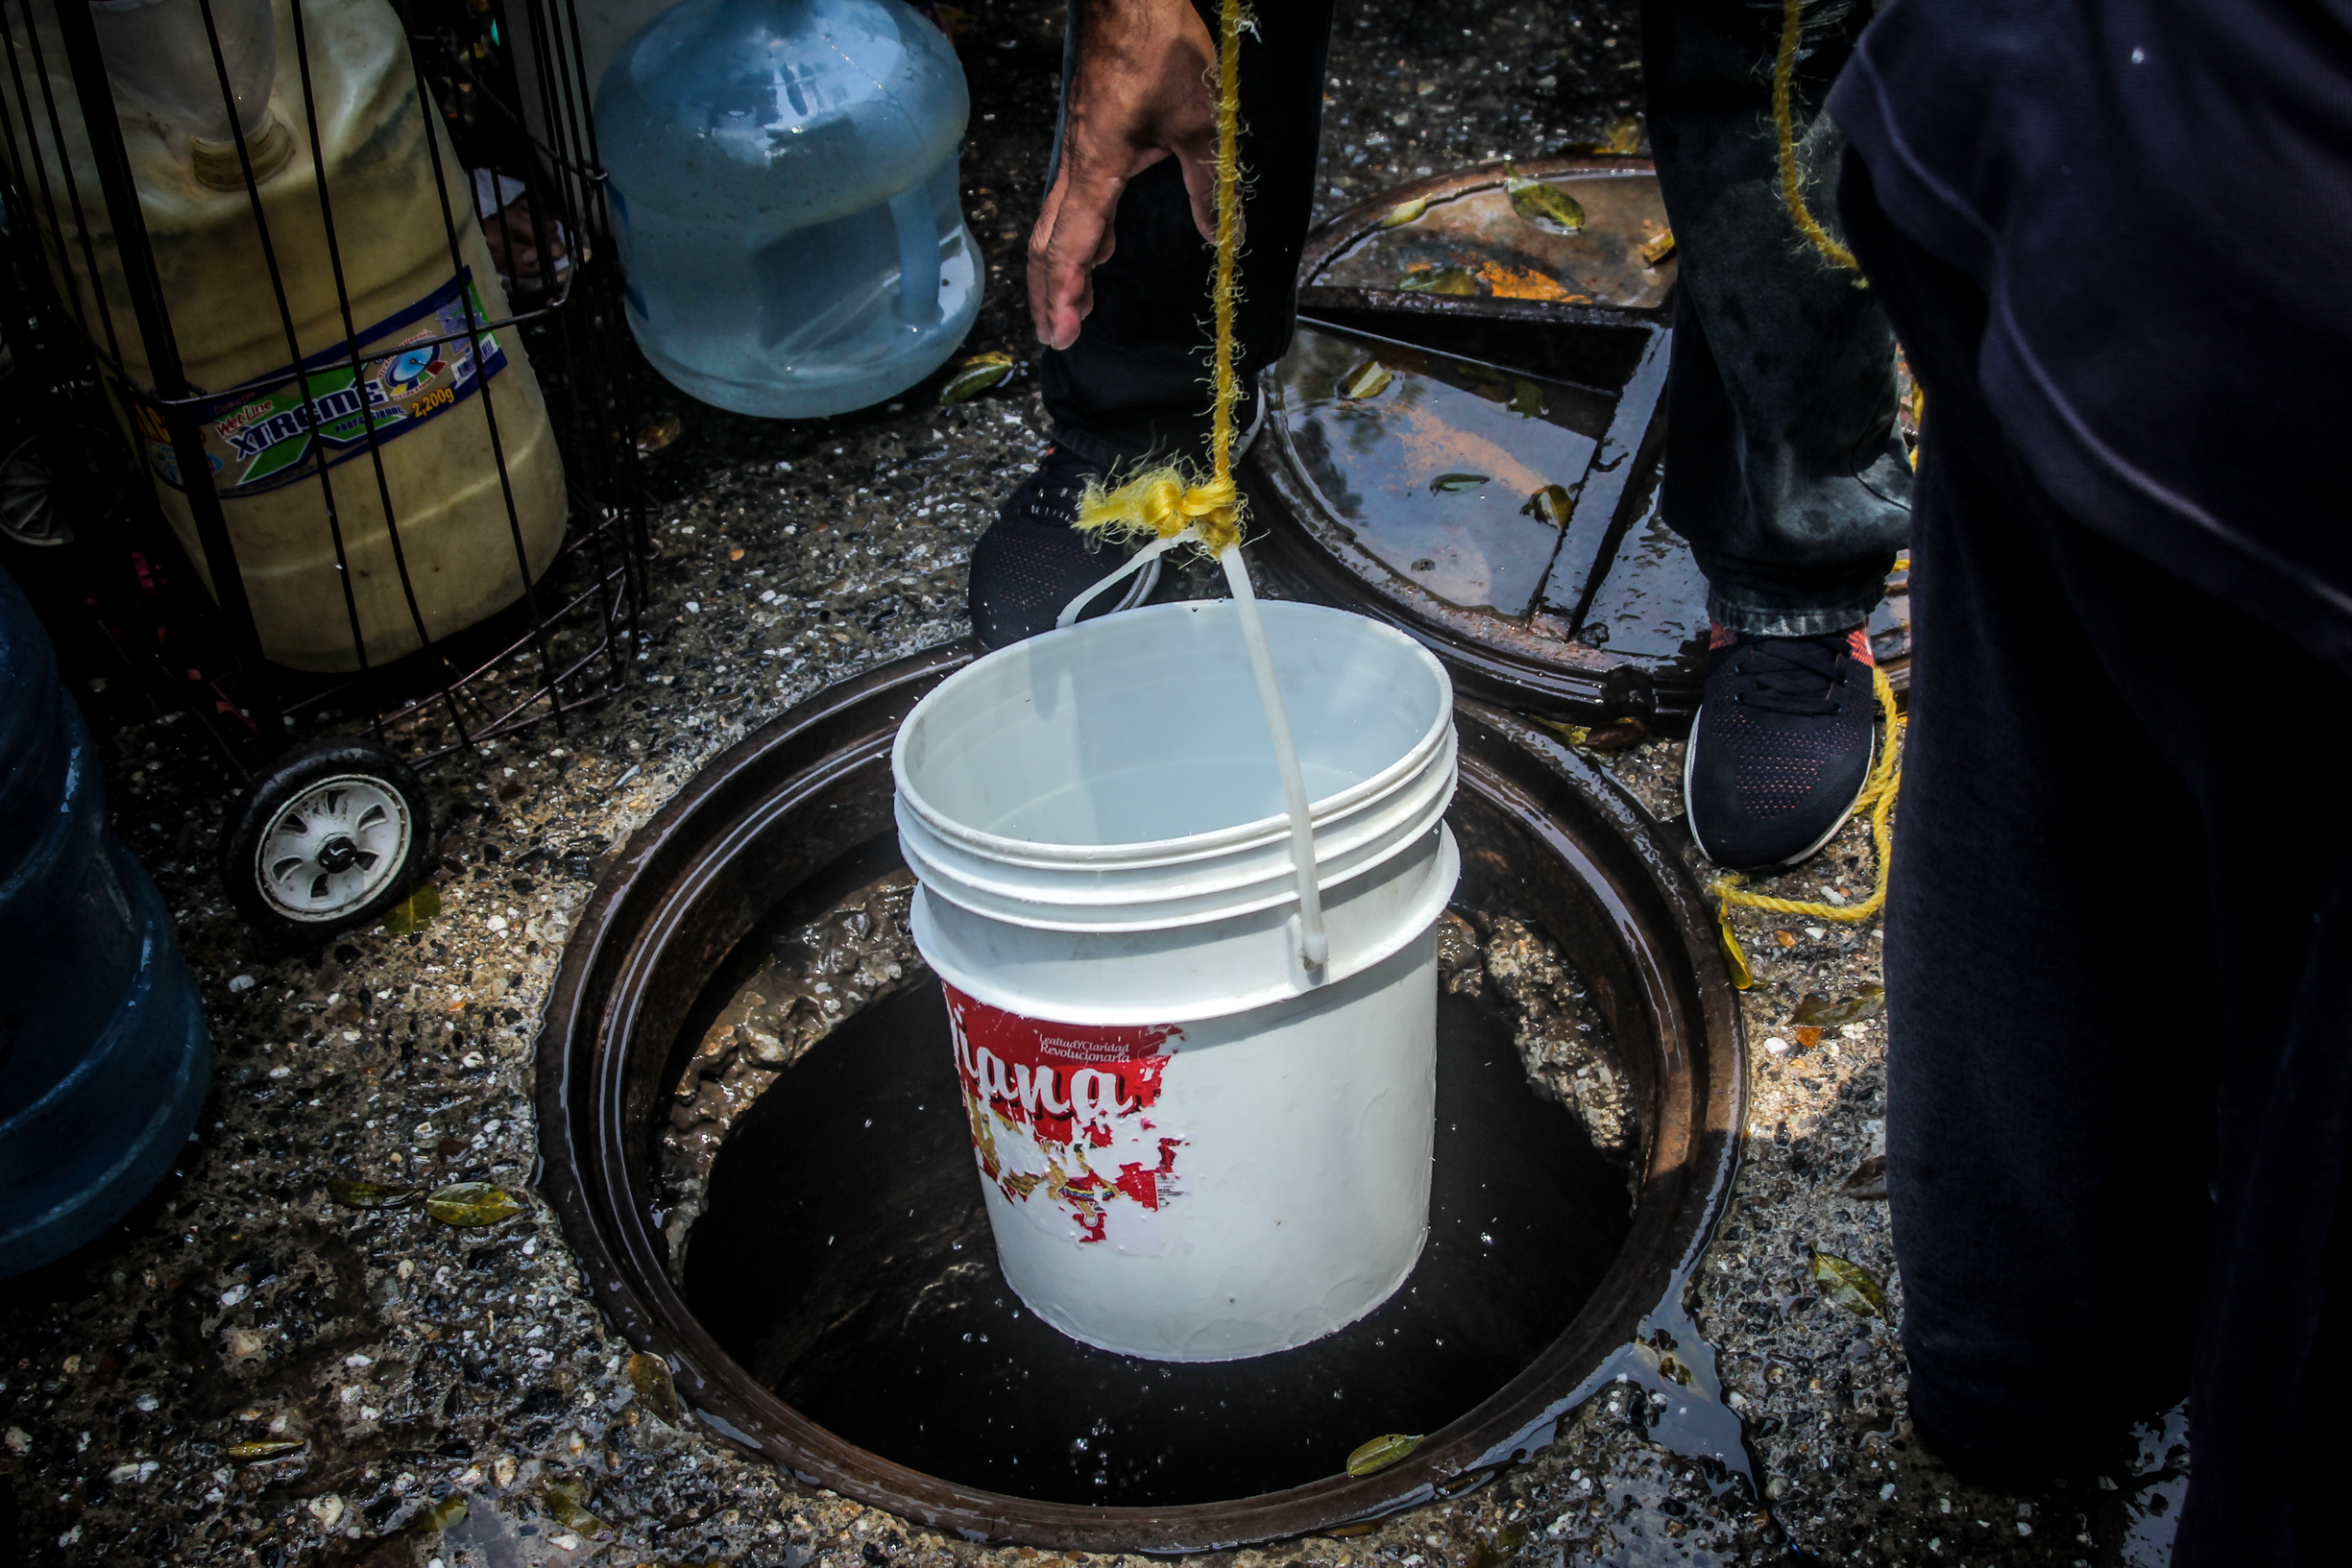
1034,561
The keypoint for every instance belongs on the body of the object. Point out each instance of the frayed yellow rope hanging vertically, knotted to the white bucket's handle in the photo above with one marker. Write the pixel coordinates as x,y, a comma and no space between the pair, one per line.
1172,500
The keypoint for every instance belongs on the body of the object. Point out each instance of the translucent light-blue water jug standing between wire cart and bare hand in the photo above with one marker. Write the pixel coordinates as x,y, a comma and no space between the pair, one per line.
784,196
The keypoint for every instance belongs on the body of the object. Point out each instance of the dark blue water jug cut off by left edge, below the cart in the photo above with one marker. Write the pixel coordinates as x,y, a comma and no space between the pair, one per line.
105,1052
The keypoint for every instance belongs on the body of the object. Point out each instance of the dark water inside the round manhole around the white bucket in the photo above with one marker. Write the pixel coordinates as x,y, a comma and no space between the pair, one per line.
846,1259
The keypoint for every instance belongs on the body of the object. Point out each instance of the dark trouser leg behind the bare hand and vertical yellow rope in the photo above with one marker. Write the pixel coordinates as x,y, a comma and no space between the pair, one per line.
1137,380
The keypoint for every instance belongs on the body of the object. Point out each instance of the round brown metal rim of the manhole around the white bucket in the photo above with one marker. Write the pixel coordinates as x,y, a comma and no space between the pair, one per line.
592,1144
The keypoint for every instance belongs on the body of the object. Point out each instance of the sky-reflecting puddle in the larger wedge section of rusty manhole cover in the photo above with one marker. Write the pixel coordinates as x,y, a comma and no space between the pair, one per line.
1450,474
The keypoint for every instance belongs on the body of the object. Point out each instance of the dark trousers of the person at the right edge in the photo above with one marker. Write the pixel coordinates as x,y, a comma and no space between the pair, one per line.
2120,986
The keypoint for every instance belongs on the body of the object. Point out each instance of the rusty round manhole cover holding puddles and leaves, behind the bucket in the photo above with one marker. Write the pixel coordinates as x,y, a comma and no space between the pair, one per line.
1469,434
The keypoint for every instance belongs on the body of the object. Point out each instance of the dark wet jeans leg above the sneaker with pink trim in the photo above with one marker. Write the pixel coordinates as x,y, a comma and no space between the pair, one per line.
1784,467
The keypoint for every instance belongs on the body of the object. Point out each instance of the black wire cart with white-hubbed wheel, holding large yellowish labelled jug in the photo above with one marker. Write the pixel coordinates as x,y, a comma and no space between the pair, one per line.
319,396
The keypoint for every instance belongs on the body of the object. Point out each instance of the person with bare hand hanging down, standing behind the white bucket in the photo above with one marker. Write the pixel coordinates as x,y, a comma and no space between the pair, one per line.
1784,464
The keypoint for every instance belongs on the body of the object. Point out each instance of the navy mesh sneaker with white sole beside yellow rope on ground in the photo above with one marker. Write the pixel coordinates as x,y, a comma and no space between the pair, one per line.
1782,746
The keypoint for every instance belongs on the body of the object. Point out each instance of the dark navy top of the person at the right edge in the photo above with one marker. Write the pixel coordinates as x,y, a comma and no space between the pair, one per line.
2156,201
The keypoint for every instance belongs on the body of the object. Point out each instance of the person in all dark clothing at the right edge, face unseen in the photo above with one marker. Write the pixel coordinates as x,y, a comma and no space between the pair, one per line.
2120,925
